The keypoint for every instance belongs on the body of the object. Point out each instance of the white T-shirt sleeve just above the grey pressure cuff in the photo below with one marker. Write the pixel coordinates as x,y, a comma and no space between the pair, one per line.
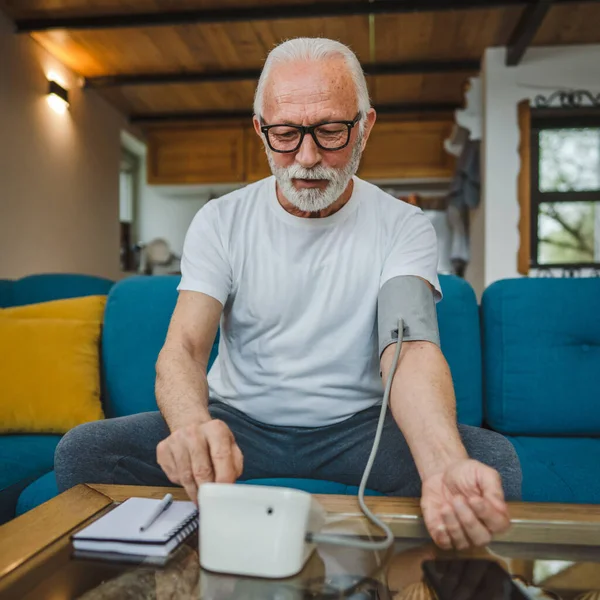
414,251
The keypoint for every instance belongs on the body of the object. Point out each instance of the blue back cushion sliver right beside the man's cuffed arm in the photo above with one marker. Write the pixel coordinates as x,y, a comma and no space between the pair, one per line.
458,317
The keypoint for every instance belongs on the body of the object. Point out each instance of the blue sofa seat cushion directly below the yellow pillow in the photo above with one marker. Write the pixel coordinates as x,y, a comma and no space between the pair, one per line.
25,456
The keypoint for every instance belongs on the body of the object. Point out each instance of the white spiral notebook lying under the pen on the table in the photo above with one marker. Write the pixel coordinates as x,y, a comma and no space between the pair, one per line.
118,532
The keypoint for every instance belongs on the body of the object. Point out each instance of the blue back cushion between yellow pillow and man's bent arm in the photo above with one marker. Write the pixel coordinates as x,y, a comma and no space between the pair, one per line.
137,316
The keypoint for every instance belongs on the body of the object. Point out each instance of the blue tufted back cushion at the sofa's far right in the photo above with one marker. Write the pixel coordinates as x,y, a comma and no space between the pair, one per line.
542,356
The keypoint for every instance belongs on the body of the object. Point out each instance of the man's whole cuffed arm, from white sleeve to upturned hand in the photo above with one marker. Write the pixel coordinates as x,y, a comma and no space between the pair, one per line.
462,499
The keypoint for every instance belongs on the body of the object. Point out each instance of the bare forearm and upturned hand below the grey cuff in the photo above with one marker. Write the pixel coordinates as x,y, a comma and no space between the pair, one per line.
462,499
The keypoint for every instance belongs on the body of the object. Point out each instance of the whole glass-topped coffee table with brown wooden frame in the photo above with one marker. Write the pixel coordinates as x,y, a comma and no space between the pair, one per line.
551,547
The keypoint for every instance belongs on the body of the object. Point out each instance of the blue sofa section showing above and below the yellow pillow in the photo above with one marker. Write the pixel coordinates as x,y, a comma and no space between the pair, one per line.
24,458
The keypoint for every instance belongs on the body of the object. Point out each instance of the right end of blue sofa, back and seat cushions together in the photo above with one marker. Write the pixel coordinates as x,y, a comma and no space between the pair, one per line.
541,360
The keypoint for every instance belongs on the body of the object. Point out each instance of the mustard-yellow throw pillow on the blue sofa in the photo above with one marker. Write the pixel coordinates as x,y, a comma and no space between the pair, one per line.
50,365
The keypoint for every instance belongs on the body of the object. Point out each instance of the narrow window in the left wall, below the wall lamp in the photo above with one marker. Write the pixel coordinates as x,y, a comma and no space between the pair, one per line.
128,191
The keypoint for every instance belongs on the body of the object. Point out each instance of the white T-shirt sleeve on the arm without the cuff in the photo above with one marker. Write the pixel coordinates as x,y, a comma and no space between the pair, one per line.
205,266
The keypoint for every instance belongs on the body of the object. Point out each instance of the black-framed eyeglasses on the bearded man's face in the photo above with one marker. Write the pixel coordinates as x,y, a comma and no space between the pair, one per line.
333,135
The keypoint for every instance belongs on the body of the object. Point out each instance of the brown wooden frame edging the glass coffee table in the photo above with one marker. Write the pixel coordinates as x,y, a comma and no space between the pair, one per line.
36,542
